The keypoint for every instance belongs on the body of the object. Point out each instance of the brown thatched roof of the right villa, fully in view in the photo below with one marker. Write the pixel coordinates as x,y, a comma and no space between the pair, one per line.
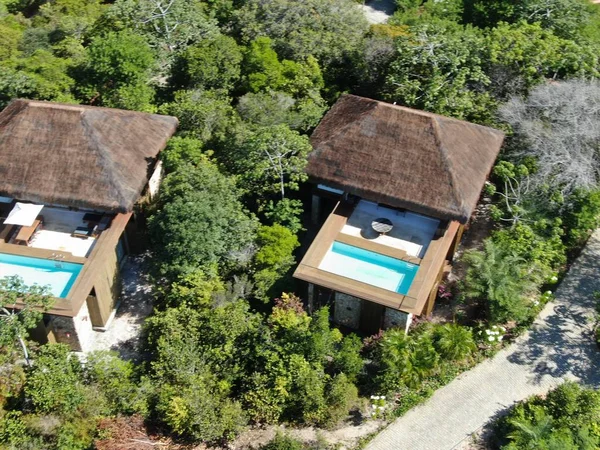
402,157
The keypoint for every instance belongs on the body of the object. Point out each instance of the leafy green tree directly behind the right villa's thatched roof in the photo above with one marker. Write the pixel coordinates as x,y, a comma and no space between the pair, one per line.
438,67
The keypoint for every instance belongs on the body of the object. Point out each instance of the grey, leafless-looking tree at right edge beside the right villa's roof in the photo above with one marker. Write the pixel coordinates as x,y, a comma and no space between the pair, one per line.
559,126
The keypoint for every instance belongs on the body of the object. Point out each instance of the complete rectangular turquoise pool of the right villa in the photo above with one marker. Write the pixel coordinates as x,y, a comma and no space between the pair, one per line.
369,267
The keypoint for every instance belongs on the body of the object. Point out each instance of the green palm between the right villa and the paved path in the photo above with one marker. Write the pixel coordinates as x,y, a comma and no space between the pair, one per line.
501,278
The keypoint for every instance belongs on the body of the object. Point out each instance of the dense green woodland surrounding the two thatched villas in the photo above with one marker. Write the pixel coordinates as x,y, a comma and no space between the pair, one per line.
248,81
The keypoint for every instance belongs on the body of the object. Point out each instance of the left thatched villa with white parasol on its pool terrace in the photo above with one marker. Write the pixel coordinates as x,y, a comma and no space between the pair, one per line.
70,177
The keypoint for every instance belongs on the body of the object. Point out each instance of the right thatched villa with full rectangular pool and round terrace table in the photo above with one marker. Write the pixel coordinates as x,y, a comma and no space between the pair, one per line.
404,184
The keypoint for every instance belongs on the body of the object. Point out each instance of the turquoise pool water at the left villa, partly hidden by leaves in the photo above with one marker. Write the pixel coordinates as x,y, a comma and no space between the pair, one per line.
59,275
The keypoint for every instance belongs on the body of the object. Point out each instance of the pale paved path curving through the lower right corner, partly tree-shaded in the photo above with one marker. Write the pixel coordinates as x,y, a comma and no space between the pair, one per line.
559,346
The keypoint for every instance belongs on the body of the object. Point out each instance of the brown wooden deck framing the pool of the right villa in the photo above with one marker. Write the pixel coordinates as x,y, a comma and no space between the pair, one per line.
427,276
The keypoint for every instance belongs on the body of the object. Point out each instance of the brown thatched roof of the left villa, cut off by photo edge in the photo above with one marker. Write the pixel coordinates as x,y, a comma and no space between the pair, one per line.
80,156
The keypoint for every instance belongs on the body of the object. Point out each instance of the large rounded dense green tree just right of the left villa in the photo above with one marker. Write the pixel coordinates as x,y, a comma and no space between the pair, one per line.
200,222
